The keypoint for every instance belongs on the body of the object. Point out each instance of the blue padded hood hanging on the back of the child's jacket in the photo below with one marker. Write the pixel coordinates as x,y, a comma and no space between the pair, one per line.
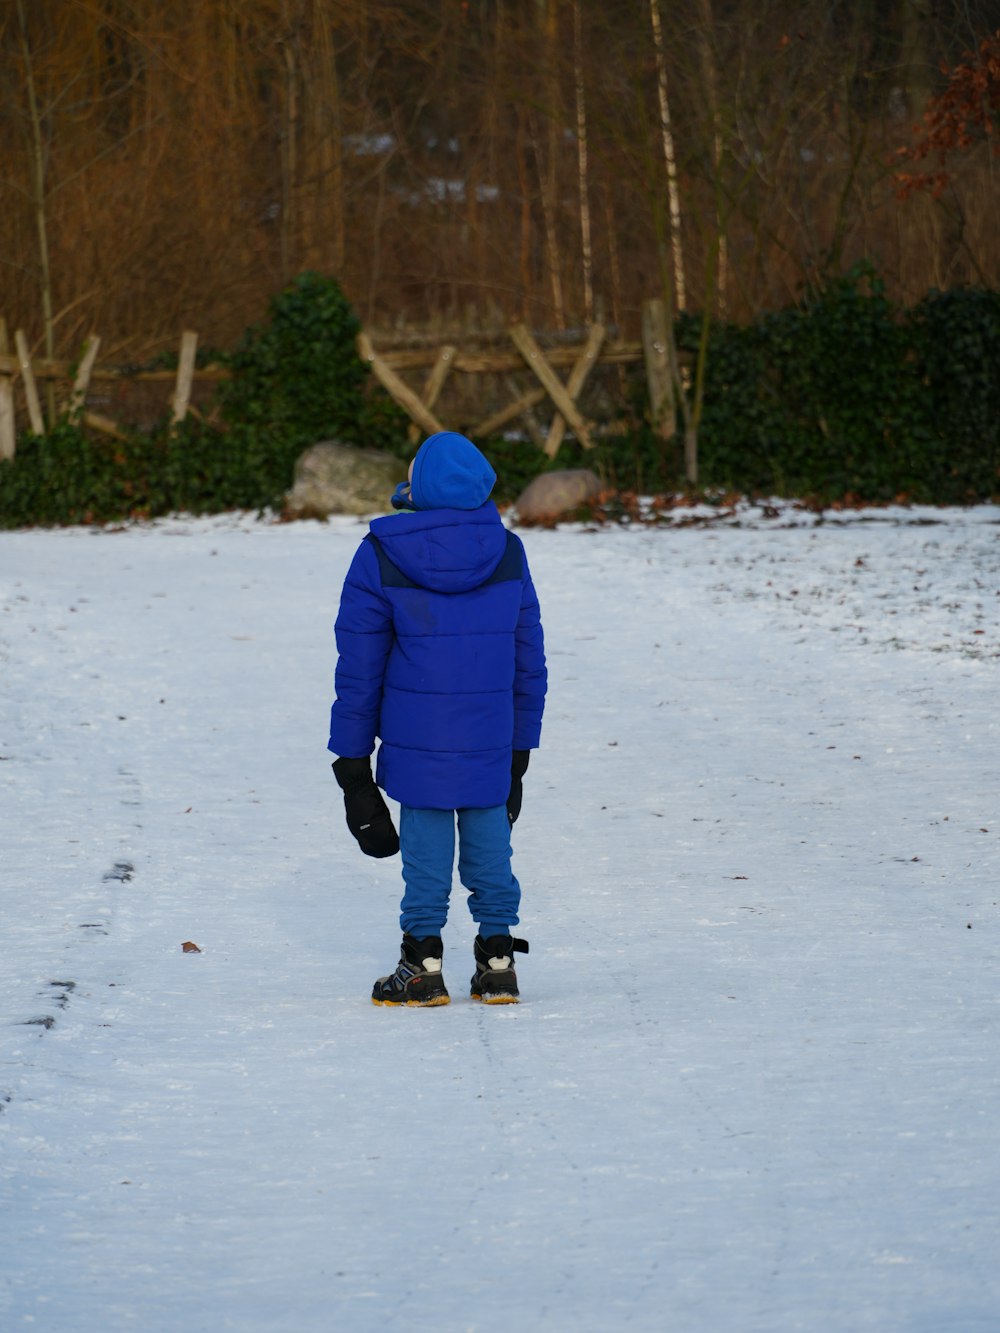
445,550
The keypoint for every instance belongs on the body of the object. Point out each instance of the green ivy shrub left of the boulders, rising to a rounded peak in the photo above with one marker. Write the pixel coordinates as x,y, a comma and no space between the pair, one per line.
297,379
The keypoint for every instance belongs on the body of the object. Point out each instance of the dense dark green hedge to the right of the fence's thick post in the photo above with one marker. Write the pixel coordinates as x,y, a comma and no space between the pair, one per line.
847,397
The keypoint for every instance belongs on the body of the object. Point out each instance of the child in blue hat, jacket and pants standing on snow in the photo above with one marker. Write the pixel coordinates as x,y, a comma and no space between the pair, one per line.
442,658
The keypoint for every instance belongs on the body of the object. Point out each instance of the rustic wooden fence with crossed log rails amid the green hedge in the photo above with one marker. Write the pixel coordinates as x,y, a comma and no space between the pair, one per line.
69,385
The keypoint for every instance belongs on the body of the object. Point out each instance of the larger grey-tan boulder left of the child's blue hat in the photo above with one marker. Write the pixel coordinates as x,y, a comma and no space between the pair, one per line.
333,478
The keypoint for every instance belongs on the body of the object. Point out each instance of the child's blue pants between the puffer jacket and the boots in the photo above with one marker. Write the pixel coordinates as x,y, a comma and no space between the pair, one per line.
427,846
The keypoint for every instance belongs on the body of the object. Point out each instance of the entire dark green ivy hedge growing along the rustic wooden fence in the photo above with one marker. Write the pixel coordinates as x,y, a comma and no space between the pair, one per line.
842,397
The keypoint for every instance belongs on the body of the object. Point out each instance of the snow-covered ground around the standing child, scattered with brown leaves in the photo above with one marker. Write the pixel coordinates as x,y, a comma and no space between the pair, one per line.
755,1080
